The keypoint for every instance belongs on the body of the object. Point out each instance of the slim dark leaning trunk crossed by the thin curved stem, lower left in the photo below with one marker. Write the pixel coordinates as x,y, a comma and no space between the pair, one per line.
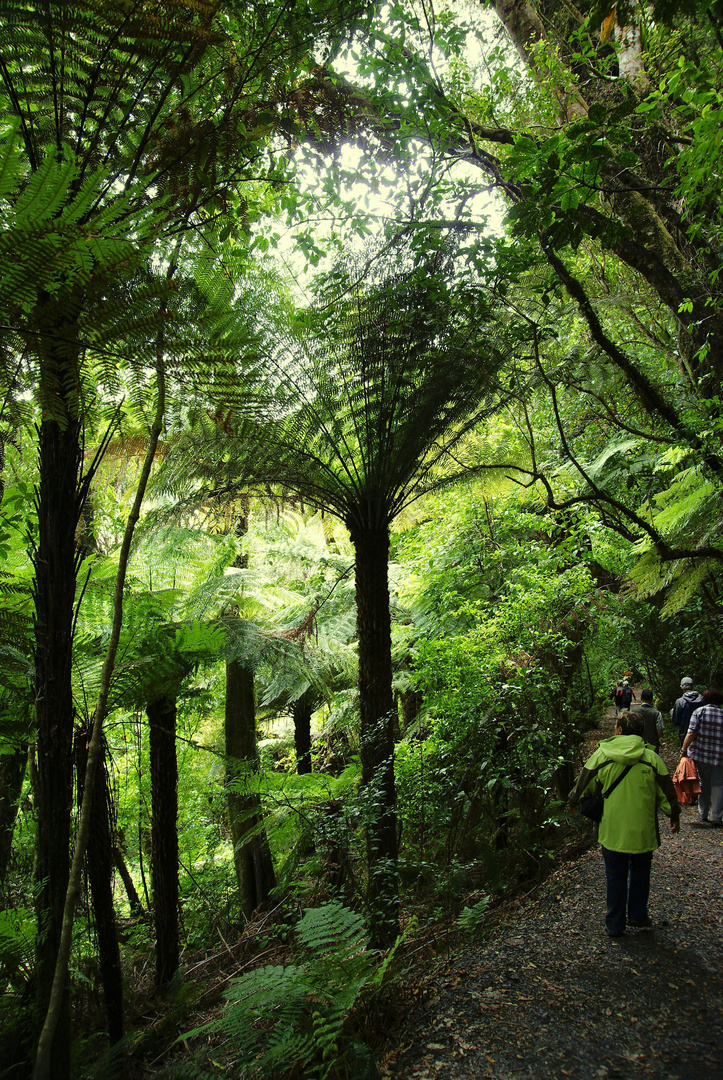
100,863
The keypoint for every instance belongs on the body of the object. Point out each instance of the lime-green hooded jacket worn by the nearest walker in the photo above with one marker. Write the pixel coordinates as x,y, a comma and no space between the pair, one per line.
631,819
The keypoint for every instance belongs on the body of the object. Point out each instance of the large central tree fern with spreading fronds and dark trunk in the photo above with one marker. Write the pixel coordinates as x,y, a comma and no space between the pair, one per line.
370,396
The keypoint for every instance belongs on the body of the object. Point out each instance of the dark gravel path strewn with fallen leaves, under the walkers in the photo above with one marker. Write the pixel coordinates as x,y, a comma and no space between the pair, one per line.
552,996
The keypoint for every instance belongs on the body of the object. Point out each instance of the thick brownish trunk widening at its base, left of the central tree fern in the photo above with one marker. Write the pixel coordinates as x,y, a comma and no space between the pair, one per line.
252,856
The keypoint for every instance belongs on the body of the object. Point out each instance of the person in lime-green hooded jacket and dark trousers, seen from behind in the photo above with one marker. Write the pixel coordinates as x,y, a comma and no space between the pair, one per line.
628,832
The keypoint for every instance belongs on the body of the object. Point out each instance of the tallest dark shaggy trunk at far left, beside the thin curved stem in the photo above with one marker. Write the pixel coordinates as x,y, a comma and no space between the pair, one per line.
55,593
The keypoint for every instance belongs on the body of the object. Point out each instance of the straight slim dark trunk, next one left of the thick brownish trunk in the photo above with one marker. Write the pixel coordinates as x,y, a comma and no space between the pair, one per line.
165,835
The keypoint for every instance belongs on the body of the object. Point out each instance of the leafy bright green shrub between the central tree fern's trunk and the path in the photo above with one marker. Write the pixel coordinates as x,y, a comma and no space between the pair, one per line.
502,679
